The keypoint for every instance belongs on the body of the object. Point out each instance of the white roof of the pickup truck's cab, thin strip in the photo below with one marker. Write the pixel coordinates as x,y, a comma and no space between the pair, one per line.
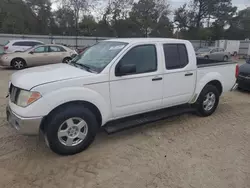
141,40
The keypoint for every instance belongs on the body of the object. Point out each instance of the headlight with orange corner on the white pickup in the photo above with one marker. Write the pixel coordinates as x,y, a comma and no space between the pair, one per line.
25,98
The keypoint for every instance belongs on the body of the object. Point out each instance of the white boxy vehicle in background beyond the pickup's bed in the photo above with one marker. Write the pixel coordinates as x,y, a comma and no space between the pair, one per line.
230,46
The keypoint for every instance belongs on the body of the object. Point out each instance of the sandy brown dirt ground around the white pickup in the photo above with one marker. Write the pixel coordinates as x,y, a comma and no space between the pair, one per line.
181,152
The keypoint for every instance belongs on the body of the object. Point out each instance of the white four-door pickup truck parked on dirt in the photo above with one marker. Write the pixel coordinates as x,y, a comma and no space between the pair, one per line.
110,84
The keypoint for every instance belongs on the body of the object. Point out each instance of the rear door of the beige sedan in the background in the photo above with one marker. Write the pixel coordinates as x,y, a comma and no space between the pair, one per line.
57,54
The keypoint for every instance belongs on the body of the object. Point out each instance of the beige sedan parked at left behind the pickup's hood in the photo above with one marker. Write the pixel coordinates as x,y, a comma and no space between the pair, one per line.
38,55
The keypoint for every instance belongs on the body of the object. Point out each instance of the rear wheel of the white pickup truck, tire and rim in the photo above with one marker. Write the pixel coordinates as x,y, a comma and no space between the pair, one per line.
208,101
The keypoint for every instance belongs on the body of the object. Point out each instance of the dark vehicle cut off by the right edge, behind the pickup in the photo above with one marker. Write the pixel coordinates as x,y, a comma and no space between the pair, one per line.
243,79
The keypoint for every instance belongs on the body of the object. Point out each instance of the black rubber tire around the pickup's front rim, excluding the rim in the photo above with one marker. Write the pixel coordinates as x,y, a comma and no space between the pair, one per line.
58,118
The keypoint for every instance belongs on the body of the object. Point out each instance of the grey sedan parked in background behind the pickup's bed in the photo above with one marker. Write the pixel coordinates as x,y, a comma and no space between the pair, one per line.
213,53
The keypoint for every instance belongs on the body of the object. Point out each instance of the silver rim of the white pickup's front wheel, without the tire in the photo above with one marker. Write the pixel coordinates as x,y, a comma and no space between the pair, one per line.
73,131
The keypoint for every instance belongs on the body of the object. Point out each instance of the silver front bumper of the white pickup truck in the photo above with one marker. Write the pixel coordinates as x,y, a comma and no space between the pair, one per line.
25,126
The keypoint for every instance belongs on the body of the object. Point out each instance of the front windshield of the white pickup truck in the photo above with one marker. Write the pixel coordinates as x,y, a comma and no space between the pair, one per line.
99,56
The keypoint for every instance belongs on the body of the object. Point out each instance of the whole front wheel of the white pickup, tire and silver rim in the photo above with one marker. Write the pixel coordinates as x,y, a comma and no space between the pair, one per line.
71,130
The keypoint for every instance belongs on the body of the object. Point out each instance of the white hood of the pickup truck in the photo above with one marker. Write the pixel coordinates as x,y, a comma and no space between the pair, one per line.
31,77
